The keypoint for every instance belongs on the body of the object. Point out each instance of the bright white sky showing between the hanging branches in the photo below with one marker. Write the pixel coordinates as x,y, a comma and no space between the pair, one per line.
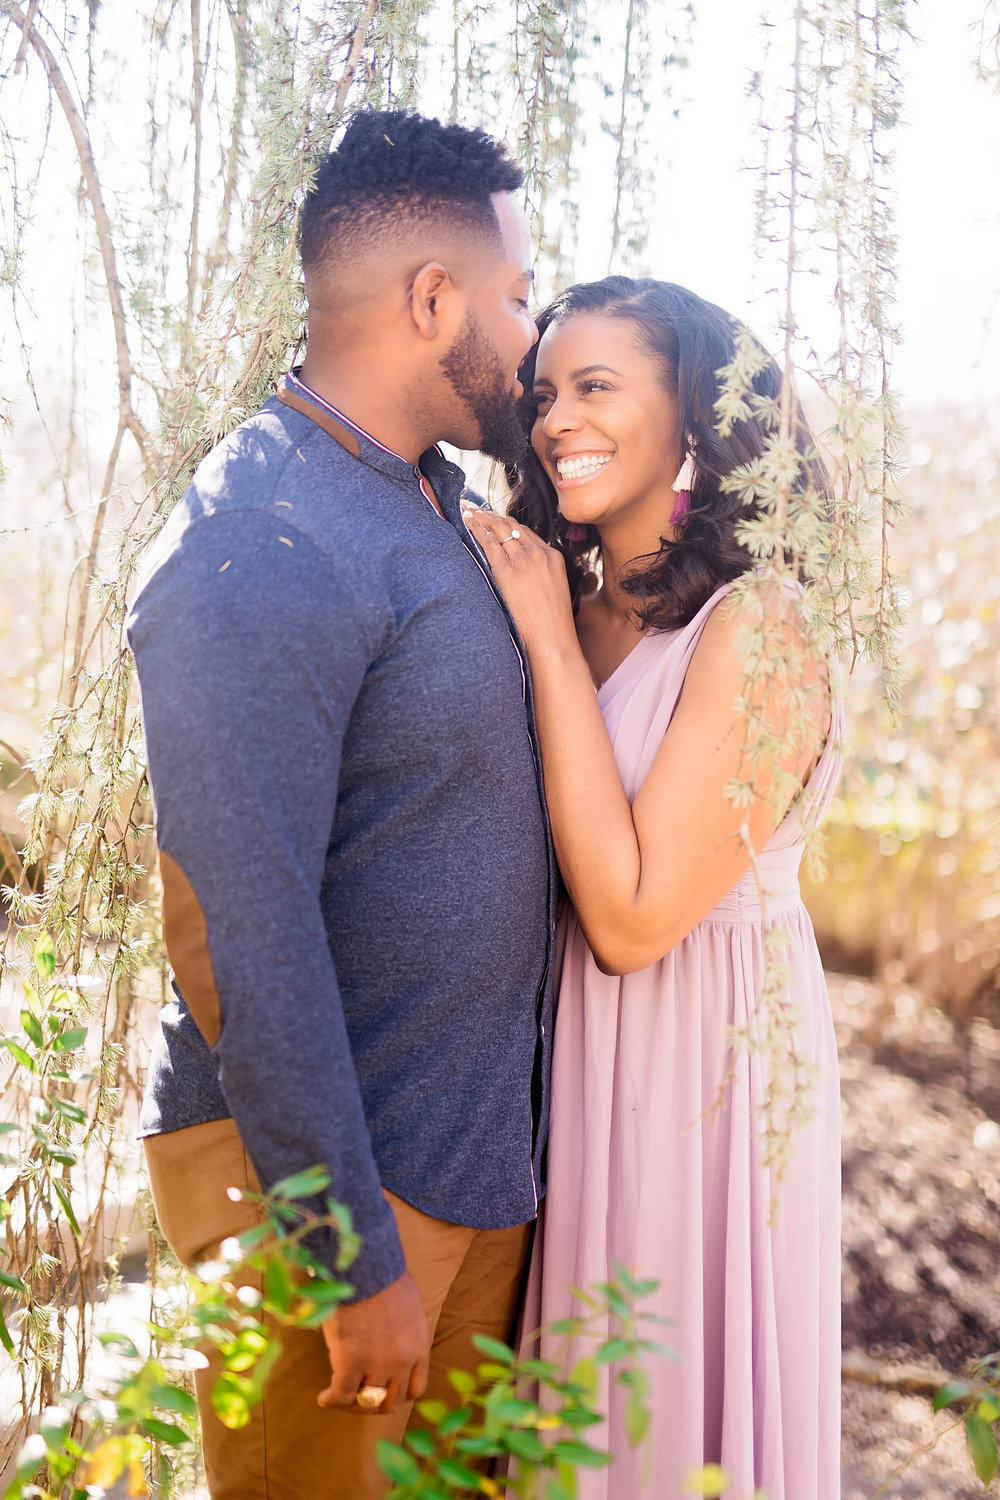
701,205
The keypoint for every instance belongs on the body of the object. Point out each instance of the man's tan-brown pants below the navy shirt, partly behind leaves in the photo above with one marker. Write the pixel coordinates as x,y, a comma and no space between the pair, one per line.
293,1450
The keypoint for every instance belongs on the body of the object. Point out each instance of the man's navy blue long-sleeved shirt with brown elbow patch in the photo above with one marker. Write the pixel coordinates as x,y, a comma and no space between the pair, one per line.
358,871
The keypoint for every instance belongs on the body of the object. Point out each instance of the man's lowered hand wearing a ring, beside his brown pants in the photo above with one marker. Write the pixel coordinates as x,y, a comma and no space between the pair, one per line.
380,1342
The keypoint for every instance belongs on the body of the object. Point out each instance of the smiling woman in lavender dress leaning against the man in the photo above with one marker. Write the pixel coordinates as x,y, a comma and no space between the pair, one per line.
656,1157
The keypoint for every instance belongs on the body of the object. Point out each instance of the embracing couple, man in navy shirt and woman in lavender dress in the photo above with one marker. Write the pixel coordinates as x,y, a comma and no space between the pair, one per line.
386,731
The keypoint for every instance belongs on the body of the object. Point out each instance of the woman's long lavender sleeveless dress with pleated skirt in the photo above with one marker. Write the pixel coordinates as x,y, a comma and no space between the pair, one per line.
644,1171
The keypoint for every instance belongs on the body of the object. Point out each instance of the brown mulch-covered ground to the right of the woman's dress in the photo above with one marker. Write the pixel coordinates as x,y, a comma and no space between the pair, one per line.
921,1228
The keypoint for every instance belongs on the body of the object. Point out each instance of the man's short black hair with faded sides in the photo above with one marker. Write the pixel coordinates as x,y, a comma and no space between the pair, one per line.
394,170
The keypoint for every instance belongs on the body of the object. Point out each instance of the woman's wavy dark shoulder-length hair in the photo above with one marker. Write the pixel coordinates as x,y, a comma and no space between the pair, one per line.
695,341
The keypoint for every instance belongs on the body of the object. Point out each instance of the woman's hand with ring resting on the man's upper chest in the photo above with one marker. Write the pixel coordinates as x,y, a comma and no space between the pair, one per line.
530,575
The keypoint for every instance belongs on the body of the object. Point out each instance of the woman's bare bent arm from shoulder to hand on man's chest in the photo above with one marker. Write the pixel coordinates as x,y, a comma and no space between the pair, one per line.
642,875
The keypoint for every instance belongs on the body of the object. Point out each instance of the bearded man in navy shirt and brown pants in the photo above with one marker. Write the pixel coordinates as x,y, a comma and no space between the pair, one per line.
358,875
